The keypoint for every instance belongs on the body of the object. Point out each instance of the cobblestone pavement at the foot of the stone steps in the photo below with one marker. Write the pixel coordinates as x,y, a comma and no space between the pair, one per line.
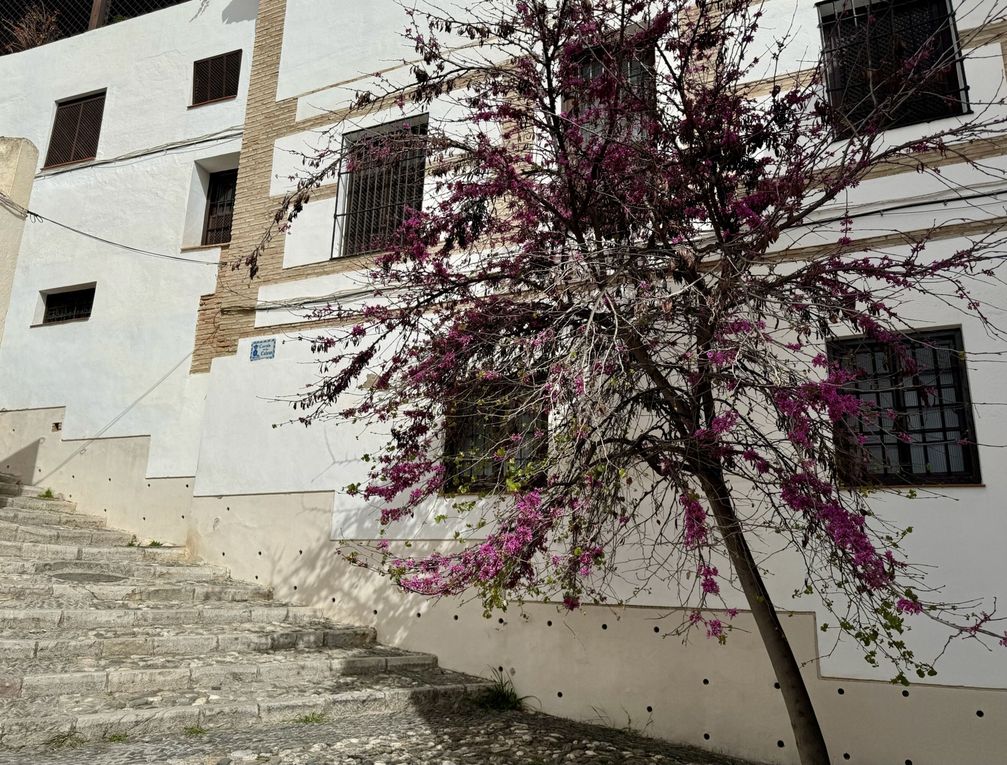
408,739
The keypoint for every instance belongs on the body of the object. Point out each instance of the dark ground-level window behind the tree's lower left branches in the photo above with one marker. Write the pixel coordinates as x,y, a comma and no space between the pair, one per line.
495,440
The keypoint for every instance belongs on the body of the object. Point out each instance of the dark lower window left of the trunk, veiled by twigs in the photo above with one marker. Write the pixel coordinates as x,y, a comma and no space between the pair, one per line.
470,433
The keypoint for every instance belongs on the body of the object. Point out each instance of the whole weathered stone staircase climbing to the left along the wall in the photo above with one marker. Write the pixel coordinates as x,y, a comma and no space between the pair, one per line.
102,640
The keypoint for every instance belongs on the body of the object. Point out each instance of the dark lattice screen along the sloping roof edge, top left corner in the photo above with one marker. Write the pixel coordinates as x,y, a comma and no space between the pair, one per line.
27,25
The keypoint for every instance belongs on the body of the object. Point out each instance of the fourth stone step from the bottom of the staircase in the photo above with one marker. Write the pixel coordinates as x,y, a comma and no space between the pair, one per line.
48,616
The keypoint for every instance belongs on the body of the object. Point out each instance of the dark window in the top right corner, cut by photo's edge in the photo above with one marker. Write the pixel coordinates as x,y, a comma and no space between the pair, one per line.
845,34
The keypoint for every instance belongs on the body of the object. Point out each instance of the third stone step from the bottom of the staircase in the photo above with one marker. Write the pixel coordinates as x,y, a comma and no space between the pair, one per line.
190,641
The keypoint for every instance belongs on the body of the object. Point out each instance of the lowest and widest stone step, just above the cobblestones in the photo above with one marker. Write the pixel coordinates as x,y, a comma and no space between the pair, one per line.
53,720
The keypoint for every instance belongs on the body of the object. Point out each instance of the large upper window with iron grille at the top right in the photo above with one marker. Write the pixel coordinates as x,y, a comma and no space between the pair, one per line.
891,63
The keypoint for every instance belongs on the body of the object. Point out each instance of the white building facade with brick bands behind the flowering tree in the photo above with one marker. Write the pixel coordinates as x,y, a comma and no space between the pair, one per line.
143,377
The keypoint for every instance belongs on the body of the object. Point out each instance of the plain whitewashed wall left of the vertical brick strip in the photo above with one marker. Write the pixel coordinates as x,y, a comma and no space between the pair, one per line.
124,372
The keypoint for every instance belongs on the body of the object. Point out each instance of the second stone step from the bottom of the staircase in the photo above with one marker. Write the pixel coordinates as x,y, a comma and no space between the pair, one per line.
150,675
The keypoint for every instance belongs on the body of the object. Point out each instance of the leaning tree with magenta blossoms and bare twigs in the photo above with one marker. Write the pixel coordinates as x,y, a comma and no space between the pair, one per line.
601,336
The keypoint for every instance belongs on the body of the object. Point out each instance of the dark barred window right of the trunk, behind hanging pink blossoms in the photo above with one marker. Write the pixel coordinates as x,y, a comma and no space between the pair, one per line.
924,432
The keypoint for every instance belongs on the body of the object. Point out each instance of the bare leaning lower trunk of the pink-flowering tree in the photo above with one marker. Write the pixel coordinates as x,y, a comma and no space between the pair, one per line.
811,743
